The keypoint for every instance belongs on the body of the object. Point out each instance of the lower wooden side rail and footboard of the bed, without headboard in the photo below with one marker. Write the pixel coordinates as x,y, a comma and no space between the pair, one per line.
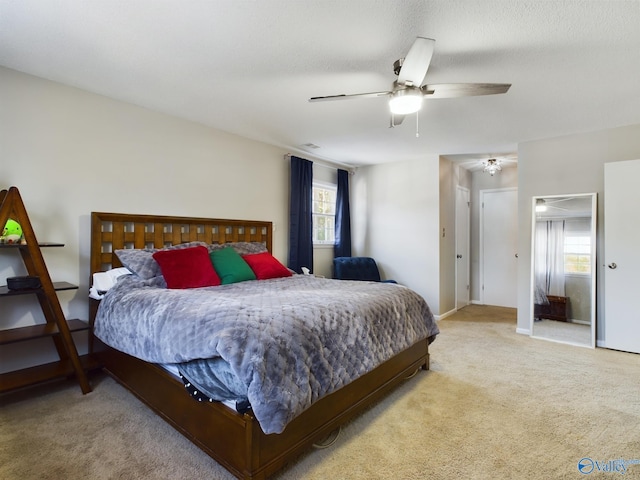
243,449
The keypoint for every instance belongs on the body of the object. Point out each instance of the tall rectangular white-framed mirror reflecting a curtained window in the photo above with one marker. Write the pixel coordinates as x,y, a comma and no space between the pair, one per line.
563,256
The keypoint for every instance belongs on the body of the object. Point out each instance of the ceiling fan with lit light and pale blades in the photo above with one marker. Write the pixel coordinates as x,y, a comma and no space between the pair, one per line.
407,92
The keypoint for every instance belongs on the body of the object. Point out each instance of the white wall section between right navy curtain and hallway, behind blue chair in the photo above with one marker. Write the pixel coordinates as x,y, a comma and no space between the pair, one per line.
395,219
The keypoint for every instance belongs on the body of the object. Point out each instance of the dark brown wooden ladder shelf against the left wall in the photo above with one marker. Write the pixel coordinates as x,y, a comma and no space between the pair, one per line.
57,326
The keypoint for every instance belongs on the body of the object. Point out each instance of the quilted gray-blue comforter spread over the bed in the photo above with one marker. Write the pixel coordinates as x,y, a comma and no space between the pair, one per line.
289,341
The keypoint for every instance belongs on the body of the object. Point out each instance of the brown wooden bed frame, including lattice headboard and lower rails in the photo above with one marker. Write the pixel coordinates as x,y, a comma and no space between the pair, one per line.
234,440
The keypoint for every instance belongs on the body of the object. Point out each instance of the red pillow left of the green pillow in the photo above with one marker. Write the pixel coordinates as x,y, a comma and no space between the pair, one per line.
187,267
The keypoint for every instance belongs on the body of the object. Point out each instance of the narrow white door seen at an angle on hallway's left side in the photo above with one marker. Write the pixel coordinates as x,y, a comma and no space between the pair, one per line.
462,247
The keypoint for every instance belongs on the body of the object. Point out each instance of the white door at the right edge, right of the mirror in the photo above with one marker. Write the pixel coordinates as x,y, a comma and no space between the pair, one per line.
621,255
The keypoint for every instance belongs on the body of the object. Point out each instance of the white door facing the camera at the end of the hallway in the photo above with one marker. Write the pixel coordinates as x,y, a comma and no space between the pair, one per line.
499,247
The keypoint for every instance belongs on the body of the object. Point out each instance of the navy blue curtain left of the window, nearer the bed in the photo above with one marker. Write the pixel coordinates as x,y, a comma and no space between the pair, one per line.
300,215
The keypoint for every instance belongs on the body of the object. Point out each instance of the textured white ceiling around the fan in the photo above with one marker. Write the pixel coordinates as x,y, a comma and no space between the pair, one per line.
249,67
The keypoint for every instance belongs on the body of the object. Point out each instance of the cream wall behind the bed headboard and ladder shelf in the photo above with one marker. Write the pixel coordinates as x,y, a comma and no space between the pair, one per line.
71,152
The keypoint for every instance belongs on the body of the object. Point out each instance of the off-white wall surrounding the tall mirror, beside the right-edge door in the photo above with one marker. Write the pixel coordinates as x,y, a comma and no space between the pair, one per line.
567,165
